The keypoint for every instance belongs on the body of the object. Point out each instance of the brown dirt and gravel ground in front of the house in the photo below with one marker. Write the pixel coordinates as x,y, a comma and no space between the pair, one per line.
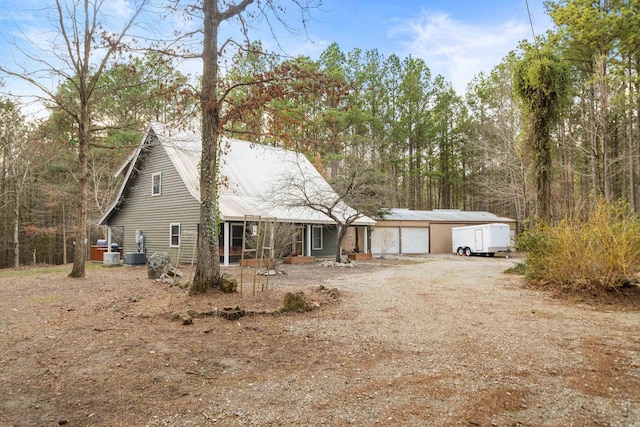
441,341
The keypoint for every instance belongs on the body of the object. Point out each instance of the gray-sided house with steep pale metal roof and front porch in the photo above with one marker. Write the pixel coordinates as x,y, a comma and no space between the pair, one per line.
158,207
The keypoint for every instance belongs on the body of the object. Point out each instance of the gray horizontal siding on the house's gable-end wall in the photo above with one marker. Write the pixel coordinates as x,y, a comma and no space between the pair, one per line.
152,215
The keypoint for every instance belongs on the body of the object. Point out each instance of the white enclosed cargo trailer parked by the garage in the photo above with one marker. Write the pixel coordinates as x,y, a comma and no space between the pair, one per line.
486,239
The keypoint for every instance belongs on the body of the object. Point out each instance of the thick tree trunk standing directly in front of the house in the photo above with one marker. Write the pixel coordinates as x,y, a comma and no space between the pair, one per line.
208,270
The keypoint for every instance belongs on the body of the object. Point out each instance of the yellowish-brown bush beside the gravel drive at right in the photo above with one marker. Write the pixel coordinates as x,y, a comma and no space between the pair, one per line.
599,253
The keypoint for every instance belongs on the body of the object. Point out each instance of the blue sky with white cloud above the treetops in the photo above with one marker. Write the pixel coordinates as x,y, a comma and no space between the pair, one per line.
456,38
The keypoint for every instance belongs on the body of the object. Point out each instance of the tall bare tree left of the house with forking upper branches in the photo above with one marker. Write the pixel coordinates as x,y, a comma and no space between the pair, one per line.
84,47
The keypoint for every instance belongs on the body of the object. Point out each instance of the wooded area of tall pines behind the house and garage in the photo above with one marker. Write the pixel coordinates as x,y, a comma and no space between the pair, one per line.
436,149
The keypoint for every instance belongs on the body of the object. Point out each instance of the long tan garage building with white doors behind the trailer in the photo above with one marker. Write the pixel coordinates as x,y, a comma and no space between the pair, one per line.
404,231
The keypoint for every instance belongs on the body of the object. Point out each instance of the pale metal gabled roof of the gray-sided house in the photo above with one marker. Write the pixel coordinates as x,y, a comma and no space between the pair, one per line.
250,173
